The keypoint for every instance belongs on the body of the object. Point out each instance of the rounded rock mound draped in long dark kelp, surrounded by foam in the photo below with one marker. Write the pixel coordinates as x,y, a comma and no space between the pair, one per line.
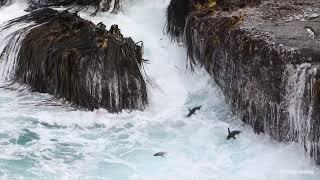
61,54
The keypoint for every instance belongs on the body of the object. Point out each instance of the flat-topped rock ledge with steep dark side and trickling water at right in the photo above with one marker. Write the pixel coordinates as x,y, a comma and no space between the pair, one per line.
266,60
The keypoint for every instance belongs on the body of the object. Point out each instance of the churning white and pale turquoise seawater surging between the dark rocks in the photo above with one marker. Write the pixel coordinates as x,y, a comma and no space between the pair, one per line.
44,138
